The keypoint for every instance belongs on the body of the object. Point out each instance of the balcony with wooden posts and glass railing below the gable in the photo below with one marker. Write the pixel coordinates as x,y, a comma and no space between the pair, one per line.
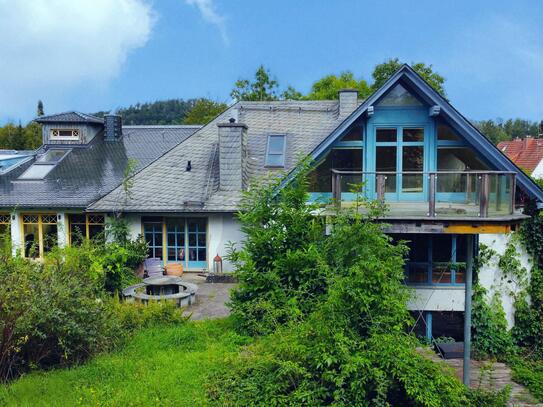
446,195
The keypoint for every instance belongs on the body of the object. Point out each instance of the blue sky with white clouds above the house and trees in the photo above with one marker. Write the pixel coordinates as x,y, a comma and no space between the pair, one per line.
92,55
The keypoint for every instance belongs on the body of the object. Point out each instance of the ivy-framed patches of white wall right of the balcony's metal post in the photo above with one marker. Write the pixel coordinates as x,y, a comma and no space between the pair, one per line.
490,276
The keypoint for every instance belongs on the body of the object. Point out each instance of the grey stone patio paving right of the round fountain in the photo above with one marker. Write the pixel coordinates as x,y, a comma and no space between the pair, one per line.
211,298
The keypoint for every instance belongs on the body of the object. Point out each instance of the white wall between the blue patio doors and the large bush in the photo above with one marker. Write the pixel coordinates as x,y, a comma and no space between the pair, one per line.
222,228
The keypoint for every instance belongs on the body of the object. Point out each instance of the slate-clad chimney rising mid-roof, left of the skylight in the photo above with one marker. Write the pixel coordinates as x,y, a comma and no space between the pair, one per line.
232,156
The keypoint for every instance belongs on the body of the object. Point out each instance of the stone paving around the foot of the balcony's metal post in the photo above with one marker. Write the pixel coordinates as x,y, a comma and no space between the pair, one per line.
490,375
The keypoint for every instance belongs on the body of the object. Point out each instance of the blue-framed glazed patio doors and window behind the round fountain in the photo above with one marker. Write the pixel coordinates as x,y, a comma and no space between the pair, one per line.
177,240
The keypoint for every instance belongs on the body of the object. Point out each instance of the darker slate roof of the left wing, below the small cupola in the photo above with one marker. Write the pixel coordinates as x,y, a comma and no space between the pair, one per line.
89,172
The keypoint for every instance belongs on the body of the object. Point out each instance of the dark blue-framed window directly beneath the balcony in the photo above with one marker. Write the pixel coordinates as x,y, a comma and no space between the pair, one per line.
435,259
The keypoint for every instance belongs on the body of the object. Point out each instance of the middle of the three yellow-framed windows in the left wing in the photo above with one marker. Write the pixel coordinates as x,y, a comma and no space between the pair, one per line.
40,234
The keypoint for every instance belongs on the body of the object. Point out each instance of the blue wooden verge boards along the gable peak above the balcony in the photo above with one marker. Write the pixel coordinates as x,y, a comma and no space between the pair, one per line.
409,78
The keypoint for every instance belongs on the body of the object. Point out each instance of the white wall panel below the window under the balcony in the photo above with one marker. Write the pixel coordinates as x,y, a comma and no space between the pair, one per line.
437,299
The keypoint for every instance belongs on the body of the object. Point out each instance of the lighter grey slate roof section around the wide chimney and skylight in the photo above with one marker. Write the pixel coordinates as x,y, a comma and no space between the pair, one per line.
166,186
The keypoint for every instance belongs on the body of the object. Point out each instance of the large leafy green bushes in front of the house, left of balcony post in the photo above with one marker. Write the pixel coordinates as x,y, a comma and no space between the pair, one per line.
332,312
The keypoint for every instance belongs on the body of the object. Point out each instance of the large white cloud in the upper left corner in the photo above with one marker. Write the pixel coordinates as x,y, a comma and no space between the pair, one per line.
49,47
